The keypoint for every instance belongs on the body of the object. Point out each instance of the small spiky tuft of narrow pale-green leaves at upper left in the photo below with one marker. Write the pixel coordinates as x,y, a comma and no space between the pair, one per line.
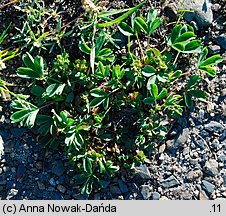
37,32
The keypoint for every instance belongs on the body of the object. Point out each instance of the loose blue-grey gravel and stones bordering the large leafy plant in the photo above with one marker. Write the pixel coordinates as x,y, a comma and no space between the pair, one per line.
190,164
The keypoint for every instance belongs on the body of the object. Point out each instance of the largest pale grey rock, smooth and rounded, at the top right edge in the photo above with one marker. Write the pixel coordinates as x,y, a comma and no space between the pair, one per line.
202,14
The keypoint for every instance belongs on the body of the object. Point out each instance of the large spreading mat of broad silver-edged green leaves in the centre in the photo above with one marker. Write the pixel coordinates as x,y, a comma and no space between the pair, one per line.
105,110
